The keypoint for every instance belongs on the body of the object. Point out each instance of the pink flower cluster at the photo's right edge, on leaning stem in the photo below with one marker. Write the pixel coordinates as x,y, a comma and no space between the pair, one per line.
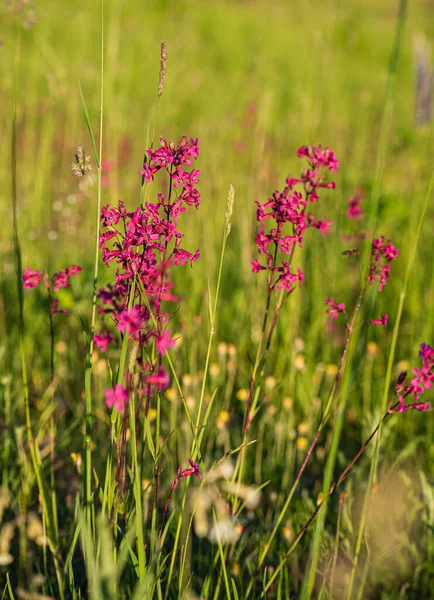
422,381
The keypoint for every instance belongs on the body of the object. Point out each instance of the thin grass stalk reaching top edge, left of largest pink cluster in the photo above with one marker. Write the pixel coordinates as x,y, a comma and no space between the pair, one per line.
89,349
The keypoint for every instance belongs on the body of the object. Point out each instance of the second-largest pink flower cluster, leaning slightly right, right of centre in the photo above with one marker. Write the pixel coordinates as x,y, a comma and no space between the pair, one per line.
288,207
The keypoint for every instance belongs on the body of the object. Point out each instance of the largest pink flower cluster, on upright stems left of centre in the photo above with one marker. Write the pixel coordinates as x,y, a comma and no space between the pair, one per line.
145,243
